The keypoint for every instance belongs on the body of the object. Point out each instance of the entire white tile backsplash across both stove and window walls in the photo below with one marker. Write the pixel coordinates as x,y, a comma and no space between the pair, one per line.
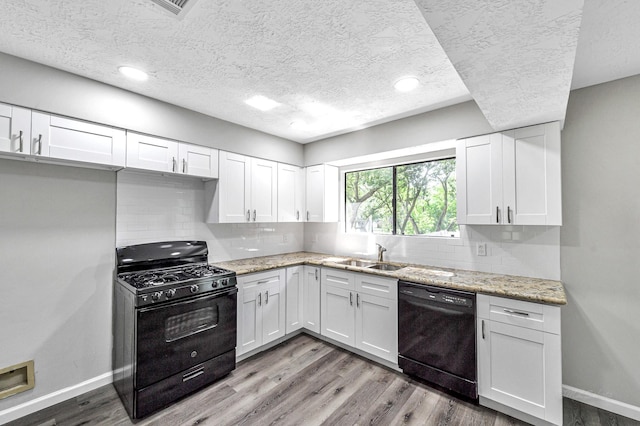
153,207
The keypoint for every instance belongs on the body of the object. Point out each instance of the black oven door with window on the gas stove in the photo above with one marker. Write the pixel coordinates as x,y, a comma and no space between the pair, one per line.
173,337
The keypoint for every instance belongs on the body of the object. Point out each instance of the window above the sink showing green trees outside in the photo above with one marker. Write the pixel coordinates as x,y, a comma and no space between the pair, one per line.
409,199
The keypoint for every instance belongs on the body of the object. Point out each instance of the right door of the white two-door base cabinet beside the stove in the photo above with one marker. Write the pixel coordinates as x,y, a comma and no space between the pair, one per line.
273,308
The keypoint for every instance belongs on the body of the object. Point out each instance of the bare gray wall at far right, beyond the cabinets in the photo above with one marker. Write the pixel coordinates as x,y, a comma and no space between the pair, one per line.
600,249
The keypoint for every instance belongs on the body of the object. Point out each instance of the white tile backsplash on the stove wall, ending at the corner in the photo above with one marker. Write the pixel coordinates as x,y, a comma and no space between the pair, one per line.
154,207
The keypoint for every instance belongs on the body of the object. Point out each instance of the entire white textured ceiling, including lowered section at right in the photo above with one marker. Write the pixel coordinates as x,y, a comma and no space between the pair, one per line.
331,64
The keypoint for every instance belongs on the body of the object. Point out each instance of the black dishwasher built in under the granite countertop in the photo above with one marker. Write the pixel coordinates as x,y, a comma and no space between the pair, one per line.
437,336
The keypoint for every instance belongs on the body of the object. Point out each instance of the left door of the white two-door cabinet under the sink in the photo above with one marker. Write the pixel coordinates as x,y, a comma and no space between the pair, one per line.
338,316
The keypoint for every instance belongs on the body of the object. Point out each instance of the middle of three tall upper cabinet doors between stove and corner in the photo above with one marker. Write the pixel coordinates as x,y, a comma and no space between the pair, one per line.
264,190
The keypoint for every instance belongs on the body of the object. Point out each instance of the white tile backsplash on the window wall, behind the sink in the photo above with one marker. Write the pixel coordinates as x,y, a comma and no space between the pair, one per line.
532,251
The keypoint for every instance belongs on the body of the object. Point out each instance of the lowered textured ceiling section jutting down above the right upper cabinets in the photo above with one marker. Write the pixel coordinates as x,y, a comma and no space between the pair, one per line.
515,57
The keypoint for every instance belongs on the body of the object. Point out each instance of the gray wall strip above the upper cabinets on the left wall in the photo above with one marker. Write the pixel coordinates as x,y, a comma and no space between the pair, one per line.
47,89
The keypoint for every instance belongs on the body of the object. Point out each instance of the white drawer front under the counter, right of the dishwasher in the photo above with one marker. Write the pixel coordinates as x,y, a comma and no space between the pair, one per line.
535,316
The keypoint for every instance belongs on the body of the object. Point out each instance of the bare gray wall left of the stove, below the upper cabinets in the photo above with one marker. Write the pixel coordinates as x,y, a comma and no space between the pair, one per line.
57,239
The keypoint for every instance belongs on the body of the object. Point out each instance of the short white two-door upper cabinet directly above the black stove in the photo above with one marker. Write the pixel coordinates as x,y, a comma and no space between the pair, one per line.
165,155
